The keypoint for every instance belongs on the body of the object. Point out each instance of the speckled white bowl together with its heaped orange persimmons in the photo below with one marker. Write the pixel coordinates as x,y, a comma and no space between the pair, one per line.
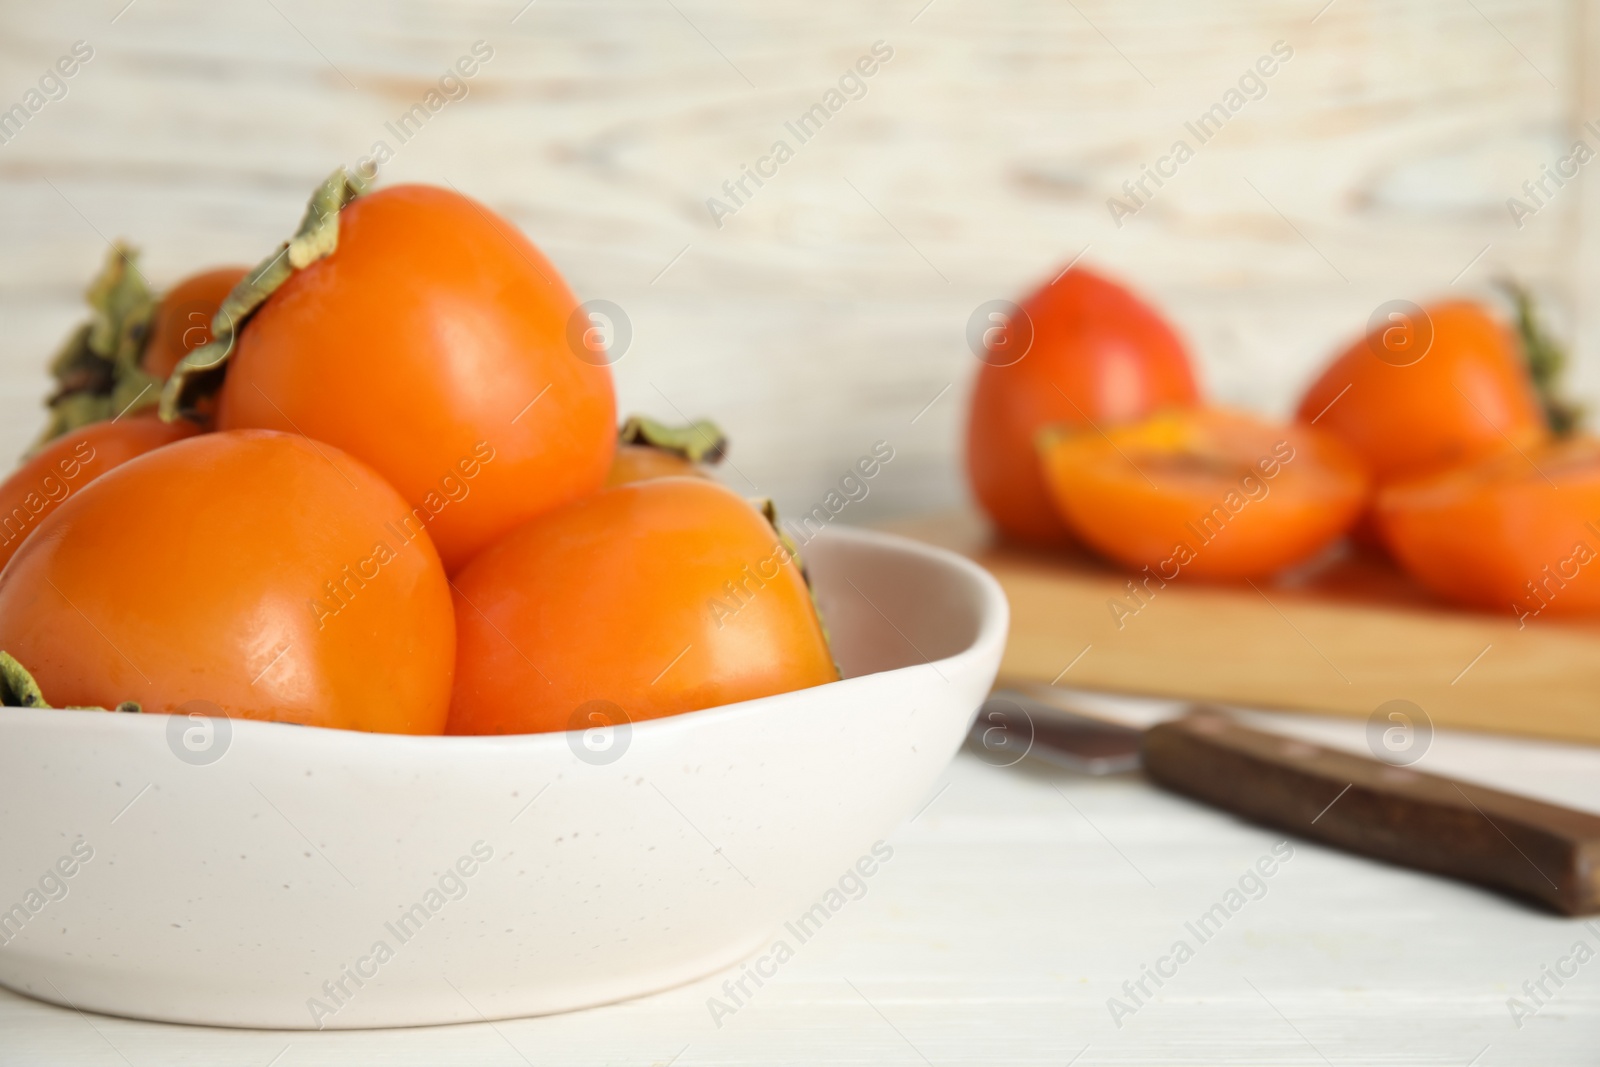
375,487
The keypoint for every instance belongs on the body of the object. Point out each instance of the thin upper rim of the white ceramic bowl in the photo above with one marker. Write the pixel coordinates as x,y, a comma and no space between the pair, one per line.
993,625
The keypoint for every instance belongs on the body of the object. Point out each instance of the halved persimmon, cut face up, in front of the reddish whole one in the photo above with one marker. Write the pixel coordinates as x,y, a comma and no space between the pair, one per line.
1206,494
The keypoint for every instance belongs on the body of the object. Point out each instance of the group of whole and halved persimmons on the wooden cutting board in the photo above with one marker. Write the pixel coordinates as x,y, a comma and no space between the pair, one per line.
1438,438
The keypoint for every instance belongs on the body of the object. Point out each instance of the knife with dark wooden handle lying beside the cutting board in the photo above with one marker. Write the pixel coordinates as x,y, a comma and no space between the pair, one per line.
1516,845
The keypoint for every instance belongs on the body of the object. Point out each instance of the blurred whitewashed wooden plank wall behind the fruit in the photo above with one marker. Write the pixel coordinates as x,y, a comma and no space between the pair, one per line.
831,308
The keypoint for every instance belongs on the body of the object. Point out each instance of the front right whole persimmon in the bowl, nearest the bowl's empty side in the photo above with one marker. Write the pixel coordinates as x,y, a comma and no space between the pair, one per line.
657,597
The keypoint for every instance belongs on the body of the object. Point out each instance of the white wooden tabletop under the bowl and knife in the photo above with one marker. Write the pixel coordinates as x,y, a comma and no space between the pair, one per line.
1017,903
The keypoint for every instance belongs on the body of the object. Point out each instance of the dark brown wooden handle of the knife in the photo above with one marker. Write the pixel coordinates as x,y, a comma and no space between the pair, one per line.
1522,847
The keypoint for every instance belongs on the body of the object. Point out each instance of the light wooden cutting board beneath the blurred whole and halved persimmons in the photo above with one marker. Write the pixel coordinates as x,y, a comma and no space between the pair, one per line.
1343,637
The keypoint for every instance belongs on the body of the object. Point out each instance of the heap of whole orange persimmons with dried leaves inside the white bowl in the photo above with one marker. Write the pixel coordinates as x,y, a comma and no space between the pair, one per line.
396,420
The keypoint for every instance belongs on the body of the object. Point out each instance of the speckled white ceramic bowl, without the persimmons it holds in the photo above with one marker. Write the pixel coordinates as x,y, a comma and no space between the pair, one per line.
246,874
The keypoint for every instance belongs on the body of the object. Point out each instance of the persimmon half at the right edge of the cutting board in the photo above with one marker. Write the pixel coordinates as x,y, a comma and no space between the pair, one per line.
1513,533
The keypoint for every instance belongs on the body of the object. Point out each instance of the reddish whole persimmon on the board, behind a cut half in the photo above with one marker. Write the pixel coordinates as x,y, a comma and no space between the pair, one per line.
1098,354
